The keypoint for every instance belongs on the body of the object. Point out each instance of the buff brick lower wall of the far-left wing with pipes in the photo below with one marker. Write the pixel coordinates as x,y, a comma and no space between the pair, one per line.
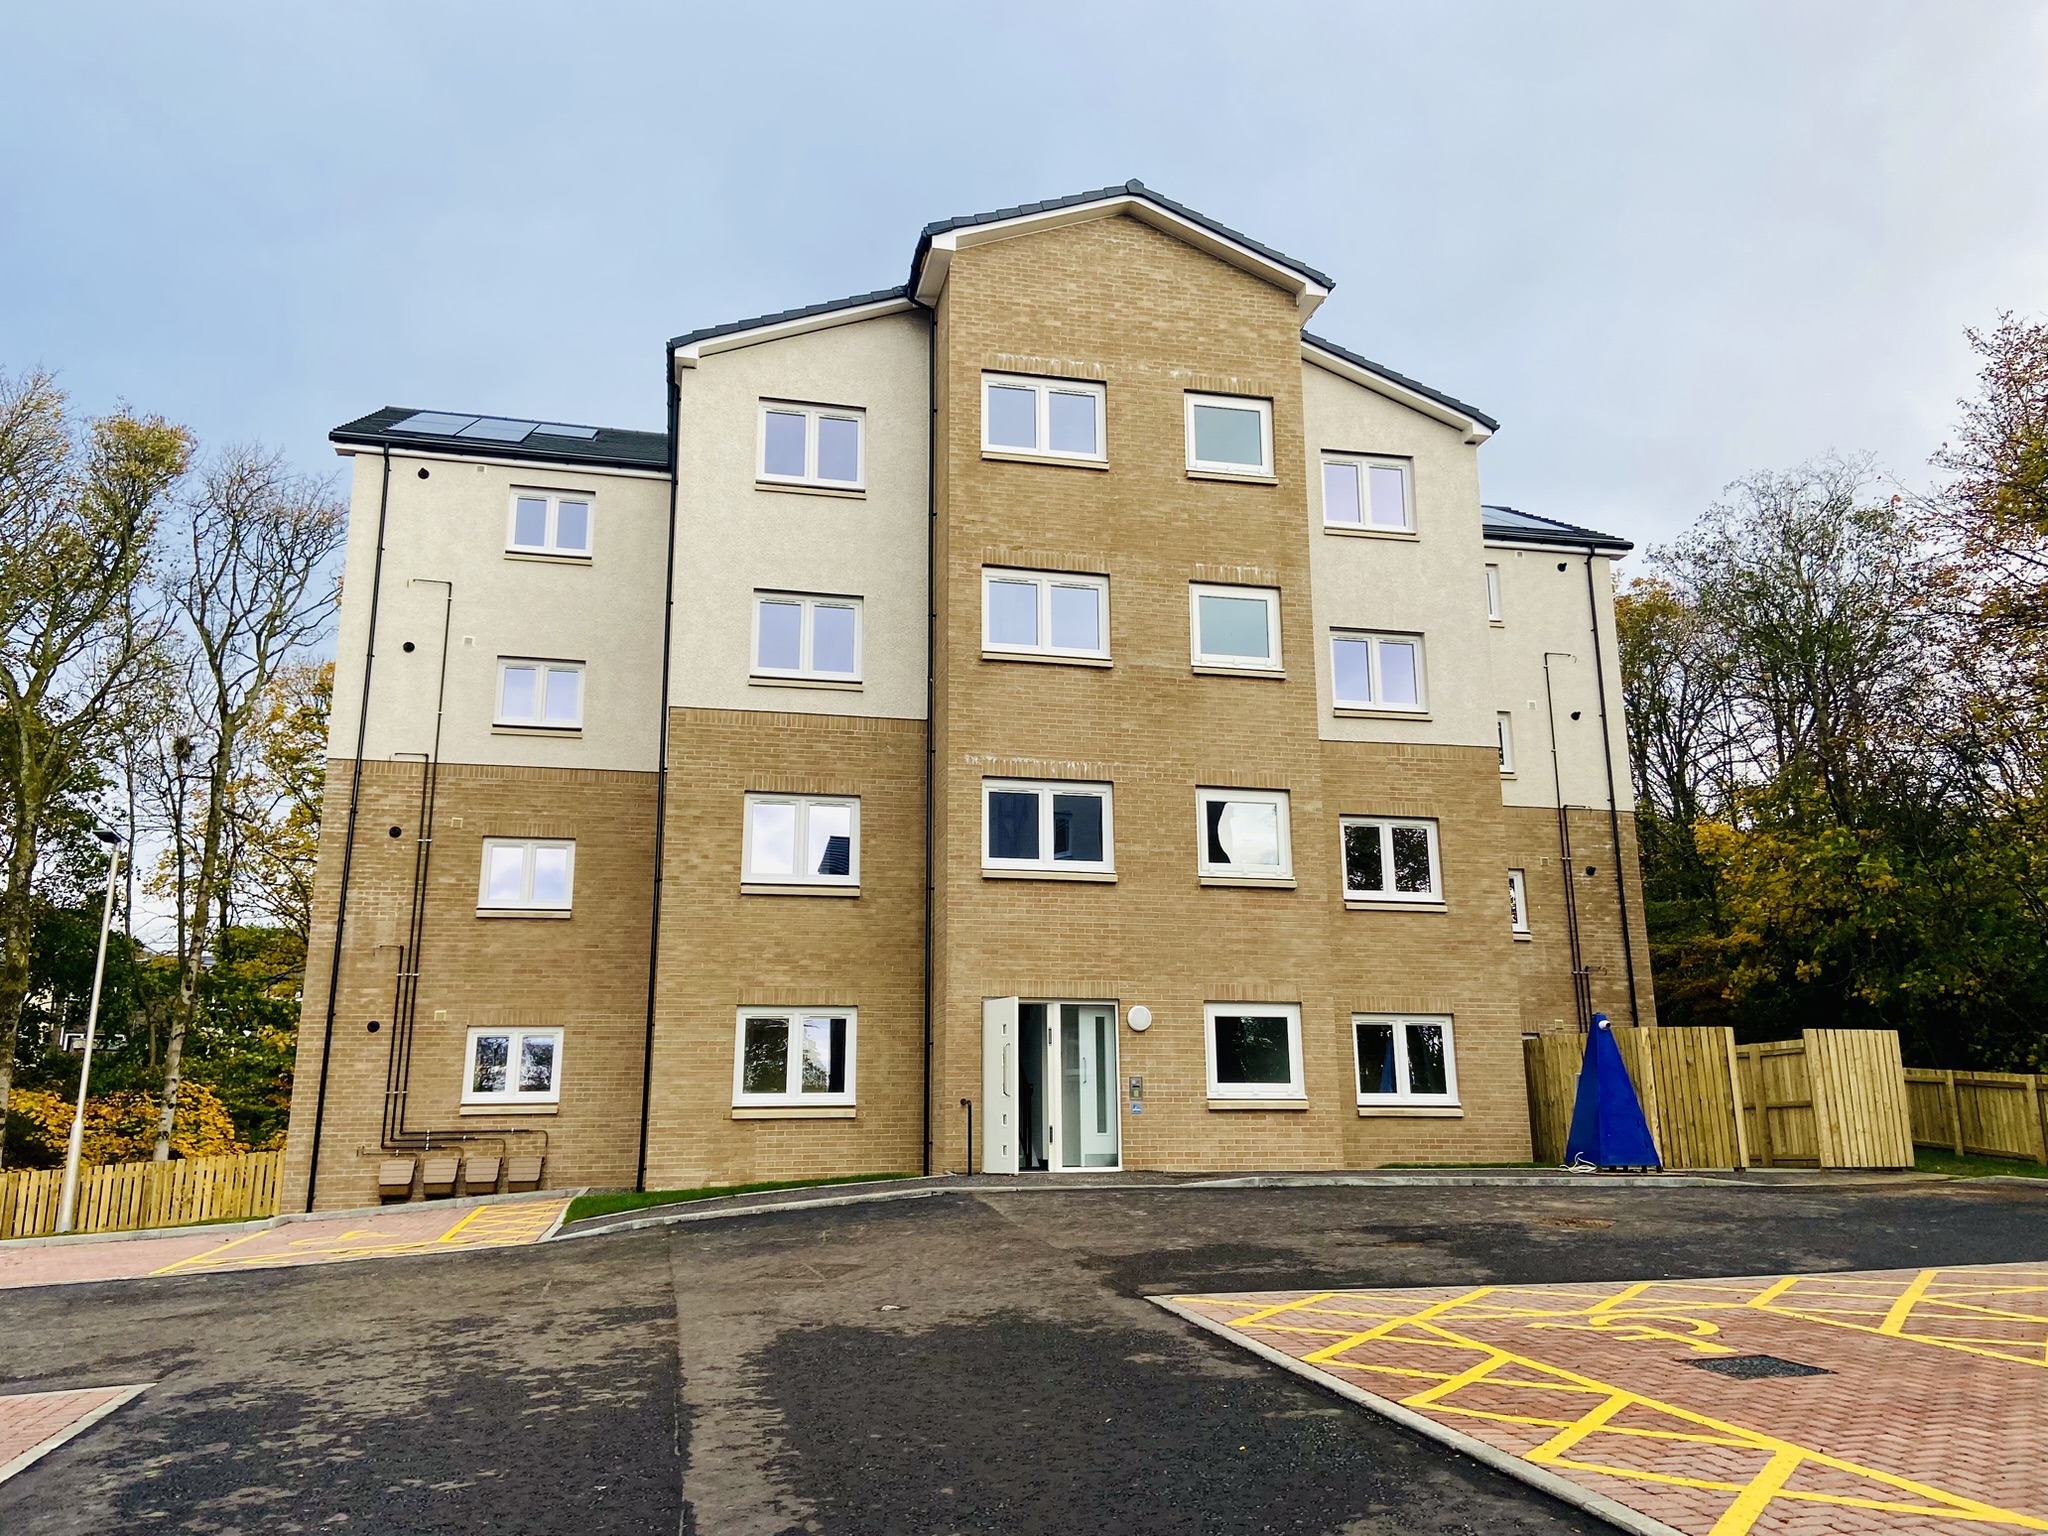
587,974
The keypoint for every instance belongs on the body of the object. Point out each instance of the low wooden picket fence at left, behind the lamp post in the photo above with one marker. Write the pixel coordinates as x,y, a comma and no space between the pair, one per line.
126,1197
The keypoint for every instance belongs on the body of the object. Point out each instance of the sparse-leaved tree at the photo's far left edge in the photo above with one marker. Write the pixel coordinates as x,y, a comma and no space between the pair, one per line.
79,513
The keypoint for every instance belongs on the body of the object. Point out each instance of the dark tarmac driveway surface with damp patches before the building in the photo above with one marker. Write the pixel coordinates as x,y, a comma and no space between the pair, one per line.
972,1361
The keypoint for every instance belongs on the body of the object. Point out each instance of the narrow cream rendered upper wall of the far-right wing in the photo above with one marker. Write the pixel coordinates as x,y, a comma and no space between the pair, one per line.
1545,609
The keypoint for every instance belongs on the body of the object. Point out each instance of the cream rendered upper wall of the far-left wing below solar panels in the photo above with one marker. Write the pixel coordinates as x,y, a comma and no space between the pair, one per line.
454,527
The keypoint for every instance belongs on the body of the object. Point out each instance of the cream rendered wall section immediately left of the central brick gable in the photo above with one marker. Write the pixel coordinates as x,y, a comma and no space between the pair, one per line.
736,538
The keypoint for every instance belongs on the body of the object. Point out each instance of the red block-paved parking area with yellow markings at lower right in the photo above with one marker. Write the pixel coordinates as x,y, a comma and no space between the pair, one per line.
1928,1408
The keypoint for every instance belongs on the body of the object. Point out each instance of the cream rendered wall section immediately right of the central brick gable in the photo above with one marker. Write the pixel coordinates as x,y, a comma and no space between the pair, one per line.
1428,585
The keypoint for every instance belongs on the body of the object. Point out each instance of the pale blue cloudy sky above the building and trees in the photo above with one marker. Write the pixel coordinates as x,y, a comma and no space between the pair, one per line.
1666,245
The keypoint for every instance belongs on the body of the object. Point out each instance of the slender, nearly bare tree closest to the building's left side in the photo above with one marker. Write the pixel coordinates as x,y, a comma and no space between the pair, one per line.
255,589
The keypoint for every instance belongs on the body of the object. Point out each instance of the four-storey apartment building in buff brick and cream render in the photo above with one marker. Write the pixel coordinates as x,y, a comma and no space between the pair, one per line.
1052,716
